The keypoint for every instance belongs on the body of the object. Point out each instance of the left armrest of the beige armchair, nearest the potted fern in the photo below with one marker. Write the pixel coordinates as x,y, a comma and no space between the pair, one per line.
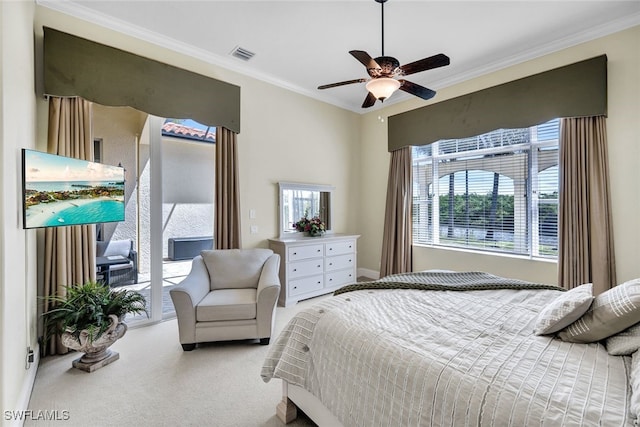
186,297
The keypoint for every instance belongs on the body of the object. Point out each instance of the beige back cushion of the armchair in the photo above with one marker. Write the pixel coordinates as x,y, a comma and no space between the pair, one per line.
235,268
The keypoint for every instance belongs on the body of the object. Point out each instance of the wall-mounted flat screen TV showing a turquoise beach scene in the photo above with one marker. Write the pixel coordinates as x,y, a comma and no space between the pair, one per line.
62,191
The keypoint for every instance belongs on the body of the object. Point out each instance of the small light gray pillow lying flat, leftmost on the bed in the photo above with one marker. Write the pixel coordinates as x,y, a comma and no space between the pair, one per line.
564,310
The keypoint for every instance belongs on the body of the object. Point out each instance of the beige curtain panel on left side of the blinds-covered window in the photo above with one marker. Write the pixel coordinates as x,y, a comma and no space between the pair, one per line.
397,237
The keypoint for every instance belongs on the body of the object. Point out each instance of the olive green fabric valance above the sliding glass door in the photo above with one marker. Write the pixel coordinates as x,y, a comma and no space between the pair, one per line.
74,66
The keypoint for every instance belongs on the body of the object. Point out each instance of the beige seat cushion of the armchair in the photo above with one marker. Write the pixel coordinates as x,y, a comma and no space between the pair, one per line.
227,304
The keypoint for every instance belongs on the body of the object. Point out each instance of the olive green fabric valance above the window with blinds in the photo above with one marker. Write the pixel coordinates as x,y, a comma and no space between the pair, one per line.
575,90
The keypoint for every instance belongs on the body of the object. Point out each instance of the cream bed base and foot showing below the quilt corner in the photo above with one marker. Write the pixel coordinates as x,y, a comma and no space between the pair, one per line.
294,398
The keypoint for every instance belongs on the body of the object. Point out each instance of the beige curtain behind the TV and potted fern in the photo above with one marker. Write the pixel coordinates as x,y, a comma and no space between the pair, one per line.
69,251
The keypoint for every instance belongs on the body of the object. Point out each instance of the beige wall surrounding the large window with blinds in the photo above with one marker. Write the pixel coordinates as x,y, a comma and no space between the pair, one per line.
623,52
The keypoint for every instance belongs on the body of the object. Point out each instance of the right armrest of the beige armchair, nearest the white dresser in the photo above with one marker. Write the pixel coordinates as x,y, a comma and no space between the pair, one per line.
267,296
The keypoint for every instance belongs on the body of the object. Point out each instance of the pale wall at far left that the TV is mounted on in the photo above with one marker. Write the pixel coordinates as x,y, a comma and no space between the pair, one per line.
17,246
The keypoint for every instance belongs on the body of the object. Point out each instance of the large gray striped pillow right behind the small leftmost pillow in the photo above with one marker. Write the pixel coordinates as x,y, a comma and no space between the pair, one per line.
611,312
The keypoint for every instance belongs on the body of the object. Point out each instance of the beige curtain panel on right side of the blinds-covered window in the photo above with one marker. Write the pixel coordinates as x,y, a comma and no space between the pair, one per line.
586,253
